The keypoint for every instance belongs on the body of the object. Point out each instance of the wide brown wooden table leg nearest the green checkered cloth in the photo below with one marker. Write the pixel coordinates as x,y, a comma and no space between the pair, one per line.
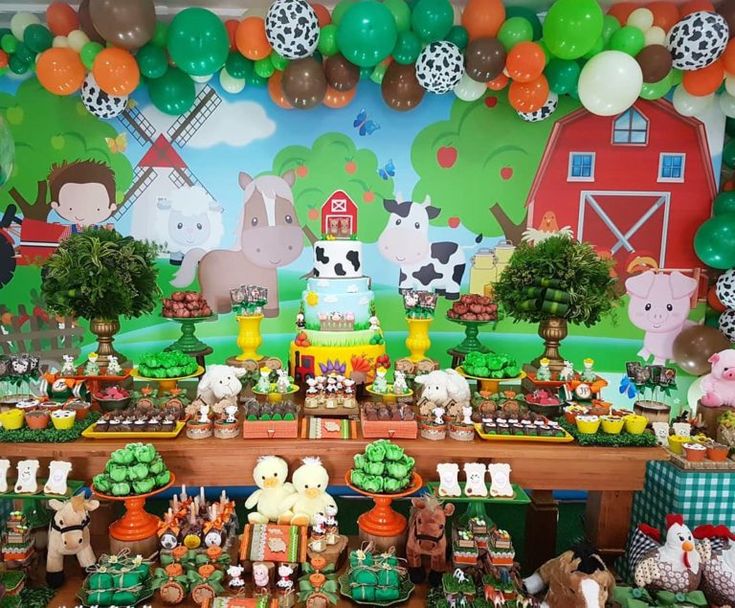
607,521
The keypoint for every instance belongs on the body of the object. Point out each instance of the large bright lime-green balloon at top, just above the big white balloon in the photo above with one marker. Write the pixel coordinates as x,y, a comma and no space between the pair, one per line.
572,27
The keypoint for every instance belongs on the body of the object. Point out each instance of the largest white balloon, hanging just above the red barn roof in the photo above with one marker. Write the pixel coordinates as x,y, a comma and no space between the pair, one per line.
610,83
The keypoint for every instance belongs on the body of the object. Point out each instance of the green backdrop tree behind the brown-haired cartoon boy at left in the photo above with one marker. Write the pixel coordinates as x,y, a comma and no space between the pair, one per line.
50,129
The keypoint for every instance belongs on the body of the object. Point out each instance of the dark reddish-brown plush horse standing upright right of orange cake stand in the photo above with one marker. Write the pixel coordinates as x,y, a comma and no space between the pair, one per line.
427,538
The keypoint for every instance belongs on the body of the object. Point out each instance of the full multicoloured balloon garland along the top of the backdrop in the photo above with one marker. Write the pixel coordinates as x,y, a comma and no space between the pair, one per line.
306,56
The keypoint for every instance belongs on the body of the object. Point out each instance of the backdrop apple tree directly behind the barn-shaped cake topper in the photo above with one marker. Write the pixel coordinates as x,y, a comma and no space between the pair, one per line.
335,163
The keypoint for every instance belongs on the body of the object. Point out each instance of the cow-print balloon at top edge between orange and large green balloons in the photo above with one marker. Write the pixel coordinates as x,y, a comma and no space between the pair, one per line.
292,28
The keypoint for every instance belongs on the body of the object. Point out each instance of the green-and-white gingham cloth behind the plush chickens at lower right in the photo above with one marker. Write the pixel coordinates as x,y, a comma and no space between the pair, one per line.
702,497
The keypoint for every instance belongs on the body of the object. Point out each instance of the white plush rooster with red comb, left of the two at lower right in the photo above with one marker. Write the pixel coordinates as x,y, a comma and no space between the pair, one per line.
675,566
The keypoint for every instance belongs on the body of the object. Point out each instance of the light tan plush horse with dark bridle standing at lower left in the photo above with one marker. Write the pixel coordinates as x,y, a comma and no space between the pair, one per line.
69,535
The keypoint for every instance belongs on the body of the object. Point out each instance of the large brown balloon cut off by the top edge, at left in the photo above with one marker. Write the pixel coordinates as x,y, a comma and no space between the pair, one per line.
129,24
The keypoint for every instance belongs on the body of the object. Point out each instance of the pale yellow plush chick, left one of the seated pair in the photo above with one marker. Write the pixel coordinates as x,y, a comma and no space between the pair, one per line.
270,474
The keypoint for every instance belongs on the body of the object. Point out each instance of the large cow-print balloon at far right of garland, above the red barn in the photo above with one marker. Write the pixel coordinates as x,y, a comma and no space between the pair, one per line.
698,40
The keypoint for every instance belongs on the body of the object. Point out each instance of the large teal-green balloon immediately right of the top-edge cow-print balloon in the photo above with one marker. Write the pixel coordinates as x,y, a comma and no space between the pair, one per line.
367,33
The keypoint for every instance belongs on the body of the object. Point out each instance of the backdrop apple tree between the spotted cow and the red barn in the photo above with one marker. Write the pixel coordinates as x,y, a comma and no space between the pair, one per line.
478,166
